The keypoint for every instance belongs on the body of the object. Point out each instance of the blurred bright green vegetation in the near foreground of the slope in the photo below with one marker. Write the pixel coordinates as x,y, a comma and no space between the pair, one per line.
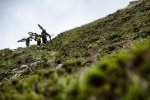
122,76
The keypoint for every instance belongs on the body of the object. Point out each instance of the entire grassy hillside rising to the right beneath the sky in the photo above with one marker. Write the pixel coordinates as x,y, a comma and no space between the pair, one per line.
107,59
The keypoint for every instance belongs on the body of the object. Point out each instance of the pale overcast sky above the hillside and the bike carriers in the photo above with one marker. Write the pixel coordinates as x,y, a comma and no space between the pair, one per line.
18,17
